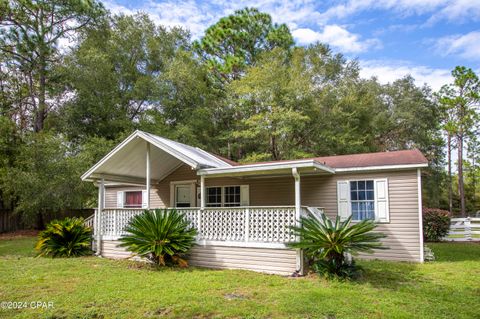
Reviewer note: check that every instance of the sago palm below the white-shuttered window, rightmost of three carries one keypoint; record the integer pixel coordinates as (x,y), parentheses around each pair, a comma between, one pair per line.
(329,245)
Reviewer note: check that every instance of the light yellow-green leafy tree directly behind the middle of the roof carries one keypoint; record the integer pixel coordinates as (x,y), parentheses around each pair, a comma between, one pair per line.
(270,98)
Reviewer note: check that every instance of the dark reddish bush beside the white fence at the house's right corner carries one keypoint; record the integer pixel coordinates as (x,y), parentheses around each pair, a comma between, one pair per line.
(436,223)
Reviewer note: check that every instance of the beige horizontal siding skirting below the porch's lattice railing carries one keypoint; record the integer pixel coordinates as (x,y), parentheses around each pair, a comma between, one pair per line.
(277,261)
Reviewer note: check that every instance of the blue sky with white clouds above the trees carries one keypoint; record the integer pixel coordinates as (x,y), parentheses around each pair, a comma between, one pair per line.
(390,38)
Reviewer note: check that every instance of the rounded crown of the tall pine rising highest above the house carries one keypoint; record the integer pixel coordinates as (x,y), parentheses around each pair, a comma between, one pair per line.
(236,41)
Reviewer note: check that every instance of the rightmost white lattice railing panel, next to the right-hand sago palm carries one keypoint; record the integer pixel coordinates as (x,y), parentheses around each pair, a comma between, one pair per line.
(271,224)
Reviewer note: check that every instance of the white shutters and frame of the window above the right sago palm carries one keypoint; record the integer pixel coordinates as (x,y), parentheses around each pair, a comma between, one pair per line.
(385,201)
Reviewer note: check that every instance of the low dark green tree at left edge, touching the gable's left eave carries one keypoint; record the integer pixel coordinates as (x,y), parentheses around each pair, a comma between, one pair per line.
(45,175)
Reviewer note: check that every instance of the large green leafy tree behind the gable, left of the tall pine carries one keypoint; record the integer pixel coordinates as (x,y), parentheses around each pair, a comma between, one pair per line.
(114,75)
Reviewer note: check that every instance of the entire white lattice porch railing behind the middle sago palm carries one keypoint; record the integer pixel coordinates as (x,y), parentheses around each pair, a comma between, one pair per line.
(249,226)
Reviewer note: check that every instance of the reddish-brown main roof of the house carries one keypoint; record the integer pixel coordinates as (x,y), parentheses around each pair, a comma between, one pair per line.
(405,157)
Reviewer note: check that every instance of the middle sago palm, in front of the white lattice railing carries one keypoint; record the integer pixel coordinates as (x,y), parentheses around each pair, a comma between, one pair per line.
(161,236)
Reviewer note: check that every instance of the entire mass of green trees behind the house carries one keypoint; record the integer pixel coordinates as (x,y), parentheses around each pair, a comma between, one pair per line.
(244,90)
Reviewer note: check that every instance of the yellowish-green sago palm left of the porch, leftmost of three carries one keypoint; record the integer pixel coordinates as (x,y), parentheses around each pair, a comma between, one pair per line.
(65,238)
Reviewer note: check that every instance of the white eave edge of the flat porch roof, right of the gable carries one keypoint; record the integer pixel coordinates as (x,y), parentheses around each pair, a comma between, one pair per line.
(267,168)
